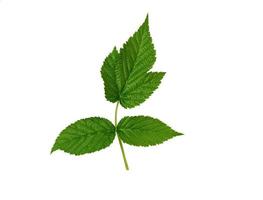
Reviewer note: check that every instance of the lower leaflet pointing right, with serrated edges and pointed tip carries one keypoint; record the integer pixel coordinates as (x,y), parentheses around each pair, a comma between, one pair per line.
(144,131)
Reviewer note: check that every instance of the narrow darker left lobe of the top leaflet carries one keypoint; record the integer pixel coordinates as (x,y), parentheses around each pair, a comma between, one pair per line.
(109,77)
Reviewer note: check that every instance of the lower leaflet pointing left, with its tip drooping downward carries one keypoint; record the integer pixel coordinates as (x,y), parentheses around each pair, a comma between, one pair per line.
(85,136)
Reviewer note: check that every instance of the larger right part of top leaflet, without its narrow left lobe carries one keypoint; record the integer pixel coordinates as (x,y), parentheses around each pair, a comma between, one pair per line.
(136,58)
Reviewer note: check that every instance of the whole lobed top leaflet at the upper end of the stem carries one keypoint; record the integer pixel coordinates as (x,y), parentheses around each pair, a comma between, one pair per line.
(125,74)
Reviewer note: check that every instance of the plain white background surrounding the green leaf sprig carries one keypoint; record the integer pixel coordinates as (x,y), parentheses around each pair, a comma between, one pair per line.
(50,57)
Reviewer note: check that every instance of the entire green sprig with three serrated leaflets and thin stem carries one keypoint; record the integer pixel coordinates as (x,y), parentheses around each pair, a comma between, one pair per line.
(128,81)
